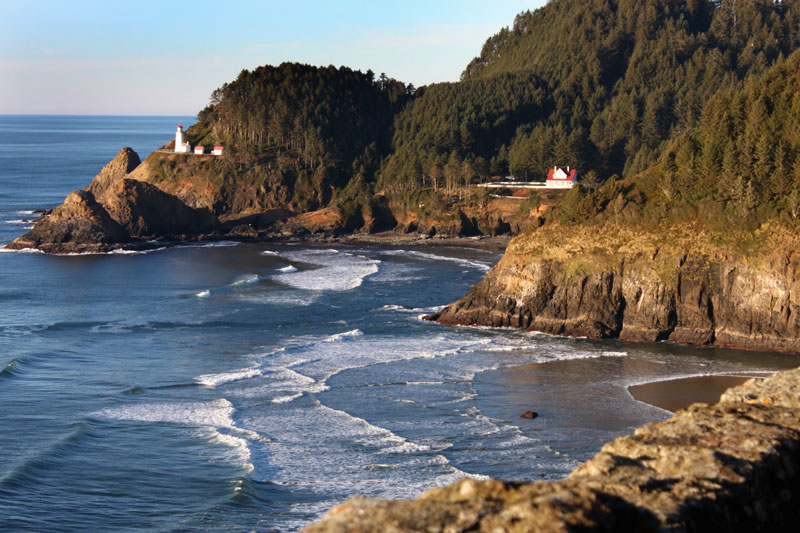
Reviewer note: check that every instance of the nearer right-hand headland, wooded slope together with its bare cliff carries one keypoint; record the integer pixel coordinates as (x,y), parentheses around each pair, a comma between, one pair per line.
(702,248)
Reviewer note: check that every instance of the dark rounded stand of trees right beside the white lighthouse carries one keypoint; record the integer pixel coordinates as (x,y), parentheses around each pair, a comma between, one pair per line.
(311,129)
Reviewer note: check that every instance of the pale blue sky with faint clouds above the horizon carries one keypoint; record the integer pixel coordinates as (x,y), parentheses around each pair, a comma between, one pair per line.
(143,57)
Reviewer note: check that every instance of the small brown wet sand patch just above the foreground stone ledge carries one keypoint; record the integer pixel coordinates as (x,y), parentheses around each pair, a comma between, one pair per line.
(676,394)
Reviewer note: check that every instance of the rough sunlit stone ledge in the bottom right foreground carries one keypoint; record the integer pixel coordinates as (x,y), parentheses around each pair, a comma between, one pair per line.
(732,466)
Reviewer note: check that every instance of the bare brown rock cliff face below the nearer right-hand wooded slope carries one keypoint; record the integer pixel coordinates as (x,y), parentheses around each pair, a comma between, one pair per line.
(603,282)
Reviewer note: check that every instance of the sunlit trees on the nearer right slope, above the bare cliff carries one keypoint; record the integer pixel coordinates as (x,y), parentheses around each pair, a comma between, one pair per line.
(739,168)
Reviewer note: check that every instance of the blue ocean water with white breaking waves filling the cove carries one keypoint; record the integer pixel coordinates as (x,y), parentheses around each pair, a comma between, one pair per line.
(229,387)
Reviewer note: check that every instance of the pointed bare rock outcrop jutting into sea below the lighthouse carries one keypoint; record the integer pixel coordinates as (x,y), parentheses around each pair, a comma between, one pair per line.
(115,212)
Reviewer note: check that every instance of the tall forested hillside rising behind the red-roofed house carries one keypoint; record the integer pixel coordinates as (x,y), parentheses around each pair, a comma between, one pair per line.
(601,85)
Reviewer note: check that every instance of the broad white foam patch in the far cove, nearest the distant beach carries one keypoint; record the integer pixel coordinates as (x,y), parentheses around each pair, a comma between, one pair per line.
(336,272)
